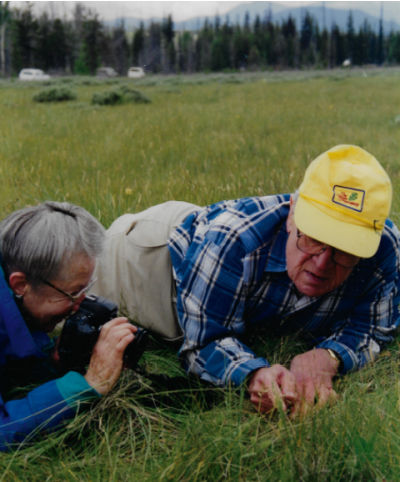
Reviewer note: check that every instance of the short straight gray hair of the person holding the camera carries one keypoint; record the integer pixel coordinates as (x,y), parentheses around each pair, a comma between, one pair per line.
(40,240)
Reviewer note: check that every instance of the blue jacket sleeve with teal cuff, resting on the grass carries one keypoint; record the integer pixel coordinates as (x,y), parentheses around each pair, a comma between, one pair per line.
(43,409)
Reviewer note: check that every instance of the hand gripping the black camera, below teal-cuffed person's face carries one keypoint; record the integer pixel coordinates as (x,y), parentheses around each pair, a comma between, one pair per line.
(107,358)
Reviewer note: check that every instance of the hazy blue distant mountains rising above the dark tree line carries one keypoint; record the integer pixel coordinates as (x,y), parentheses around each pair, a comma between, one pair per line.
(324,15)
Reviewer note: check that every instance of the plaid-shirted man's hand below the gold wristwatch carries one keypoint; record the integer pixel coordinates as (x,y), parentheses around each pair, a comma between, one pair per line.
(313,372)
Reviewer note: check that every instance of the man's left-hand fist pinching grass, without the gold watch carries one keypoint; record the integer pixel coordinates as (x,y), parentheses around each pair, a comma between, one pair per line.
(272,387)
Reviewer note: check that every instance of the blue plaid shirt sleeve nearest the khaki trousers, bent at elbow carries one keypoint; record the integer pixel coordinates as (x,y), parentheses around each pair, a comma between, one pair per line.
(211,297)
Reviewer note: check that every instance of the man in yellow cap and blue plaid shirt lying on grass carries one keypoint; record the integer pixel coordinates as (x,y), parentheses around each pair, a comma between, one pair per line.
(324,261)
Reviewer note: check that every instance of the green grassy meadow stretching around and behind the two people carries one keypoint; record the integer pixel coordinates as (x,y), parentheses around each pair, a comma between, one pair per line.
(203,139)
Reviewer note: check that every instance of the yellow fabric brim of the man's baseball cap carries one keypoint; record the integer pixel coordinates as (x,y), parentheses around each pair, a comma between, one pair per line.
(359,240)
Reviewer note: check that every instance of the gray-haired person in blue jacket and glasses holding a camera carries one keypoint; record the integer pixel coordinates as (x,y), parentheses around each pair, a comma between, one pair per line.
(48,255)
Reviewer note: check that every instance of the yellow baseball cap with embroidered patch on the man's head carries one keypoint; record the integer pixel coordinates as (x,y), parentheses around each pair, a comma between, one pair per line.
(344,200)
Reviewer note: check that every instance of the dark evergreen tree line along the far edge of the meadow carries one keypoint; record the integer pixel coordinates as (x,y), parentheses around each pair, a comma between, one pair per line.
(83,43)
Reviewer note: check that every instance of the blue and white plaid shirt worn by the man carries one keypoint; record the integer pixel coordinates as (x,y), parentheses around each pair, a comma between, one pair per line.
(229,264)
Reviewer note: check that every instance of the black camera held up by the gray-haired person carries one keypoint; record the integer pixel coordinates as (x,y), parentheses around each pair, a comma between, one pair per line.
(81,331)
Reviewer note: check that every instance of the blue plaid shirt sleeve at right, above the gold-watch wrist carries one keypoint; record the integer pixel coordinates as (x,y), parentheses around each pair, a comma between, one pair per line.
(372,324)
